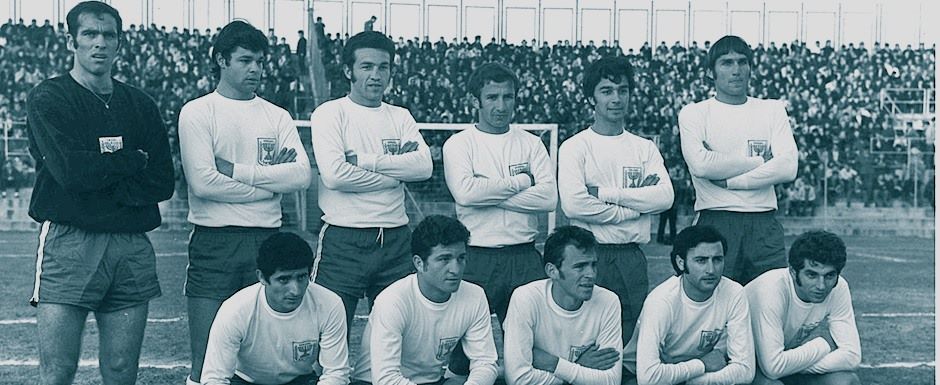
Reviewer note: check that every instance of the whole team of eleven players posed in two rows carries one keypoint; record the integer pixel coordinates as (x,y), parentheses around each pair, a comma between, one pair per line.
(103,164)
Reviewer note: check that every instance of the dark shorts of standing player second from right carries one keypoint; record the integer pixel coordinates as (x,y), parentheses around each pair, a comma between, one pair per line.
(621,268)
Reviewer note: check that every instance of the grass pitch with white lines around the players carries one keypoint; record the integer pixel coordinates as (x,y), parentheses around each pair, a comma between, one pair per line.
(892,282)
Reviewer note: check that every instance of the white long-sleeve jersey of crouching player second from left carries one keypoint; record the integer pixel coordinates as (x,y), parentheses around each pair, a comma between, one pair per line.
(409,339)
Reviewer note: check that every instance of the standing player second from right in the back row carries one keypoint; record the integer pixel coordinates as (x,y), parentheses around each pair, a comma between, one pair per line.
(612,182)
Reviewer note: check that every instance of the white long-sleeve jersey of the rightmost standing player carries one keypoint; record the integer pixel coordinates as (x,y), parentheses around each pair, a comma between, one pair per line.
(736,136)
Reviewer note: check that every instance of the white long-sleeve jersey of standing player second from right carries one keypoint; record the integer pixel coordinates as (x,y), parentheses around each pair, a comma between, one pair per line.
(622,212)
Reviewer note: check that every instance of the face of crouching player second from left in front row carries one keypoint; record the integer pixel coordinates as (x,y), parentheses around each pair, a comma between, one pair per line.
(440,275)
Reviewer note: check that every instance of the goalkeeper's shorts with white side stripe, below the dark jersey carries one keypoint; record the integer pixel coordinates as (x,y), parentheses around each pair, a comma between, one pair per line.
(101,272)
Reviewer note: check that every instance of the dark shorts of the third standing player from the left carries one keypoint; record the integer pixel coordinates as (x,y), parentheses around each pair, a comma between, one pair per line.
(355,262)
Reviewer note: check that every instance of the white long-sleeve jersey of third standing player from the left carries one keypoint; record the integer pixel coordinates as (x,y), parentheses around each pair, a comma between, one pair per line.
(369,193)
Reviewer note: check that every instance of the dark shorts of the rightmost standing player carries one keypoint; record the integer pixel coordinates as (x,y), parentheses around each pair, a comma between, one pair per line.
(755,242)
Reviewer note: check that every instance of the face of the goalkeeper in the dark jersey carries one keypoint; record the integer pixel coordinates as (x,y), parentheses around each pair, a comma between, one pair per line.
(95,44)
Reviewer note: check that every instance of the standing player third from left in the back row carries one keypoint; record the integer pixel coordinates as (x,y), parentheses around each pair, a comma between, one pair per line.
(365,150)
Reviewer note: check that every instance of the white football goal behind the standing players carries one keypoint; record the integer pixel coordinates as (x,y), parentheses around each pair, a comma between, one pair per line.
(430,196)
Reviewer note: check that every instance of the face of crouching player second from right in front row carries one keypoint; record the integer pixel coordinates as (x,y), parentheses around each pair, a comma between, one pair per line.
(703,266)
